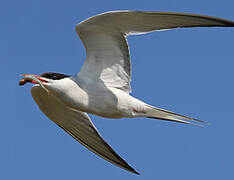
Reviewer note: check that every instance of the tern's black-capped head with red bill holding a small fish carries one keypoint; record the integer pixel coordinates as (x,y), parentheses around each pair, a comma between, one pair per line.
(43,78)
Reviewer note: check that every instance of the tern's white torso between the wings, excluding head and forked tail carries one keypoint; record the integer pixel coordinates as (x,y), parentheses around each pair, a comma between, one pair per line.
(91,97)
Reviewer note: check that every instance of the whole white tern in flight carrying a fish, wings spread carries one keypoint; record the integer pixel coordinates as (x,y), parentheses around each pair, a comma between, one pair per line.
(102,87)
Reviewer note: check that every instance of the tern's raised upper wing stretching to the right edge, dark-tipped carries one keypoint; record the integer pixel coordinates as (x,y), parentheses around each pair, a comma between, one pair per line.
(107,51)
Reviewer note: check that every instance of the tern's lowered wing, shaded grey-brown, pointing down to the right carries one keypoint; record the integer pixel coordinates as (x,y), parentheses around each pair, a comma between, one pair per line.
(78,125)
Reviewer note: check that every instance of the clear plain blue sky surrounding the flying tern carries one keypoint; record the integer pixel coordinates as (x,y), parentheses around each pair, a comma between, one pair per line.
(188,71)
